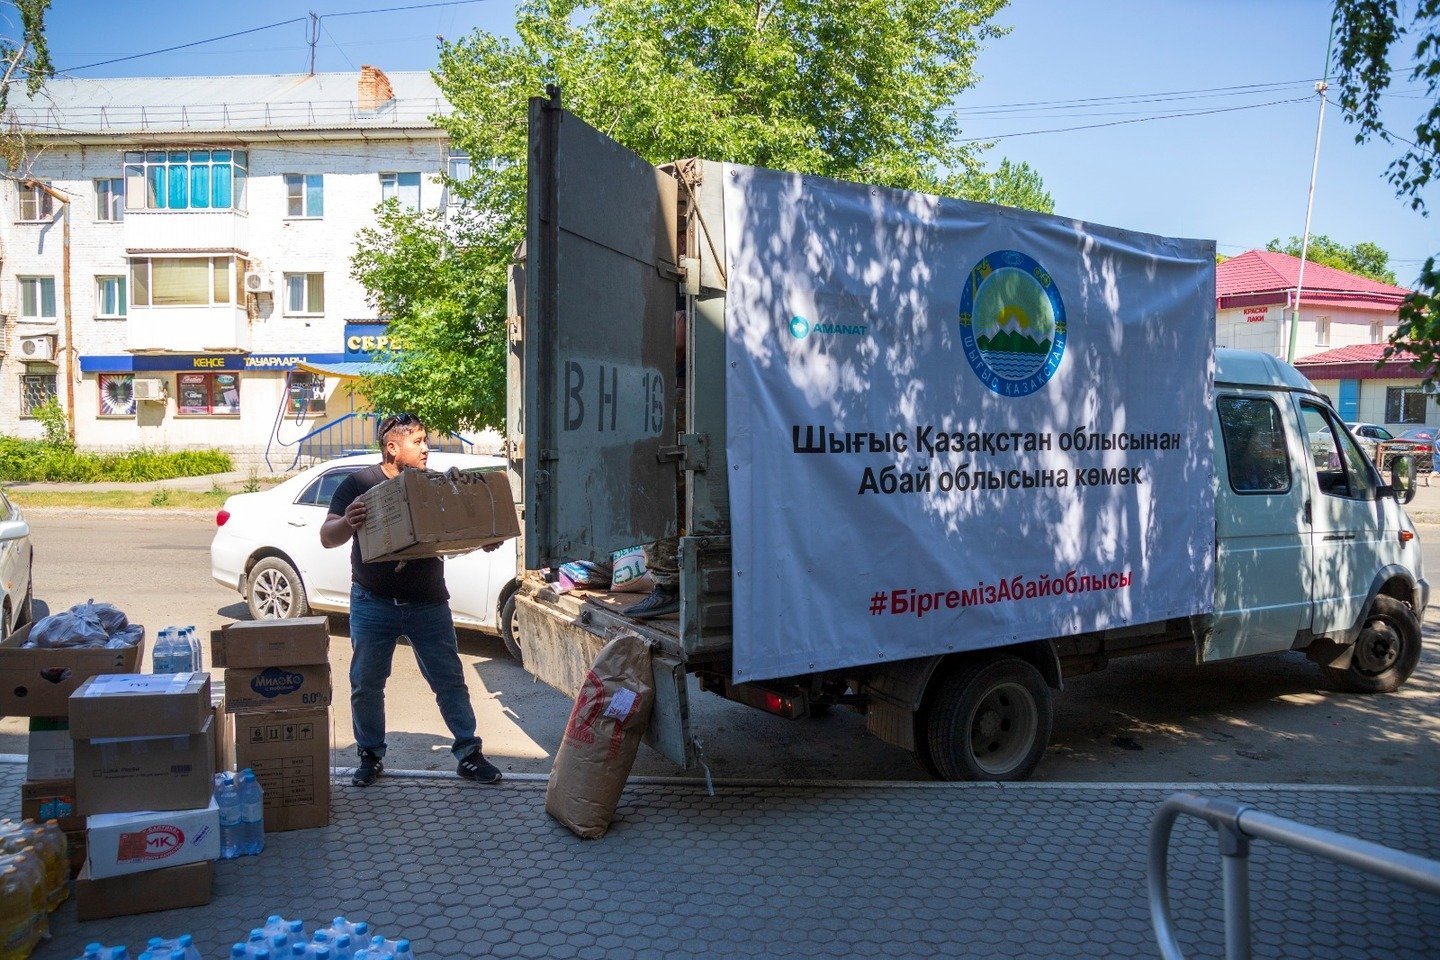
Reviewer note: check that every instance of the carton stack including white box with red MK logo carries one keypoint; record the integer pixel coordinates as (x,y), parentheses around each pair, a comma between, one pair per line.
(145,776)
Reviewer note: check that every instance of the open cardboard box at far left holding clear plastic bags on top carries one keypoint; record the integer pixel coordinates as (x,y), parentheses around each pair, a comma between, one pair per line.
(40,681)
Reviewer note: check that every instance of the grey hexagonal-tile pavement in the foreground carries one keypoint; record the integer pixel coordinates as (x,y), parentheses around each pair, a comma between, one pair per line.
(798,870)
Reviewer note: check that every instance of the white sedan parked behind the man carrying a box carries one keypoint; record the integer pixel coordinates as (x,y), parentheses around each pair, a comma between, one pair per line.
(267,548)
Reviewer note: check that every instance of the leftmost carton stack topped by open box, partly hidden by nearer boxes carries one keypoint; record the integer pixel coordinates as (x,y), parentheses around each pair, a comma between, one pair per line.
(38,683)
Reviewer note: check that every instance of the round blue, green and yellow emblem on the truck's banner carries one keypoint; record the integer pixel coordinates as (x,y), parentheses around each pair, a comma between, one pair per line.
(1013,323)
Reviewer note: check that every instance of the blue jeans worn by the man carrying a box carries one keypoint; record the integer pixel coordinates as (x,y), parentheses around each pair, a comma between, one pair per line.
(375,625)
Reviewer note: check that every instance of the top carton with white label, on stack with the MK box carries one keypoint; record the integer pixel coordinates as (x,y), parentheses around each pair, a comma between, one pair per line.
(140,706)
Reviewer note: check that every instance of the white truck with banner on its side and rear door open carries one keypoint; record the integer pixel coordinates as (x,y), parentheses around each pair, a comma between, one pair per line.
(924,458)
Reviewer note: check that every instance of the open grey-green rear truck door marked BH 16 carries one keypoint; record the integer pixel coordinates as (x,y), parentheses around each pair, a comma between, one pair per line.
(598,332)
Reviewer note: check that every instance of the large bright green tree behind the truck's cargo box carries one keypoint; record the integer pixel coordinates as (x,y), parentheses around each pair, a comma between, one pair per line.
(855,90)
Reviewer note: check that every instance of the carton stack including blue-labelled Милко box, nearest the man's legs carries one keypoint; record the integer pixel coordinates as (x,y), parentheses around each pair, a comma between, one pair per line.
(277,692)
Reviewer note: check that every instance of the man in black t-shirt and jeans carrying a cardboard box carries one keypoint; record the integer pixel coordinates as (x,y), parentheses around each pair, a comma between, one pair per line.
(392,599)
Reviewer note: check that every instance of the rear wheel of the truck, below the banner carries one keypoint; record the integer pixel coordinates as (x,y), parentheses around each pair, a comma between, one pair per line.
(989,720)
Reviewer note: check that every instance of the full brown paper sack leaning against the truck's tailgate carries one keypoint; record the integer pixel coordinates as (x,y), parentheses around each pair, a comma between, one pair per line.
(598,751)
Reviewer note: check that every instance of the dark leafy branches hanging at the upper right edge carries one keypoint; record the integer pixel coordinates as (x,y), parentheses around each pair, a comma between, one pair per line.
(1366,35)
